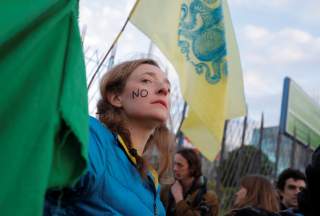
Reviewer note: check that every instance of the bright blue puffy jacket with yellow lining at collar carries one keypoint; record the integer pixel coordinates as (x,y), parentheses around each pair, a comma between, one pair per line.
(111,186)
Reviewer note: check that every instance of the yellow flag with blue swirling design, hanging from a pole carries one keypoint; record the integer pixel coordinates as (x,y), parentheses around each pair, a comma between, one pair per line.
(198,38)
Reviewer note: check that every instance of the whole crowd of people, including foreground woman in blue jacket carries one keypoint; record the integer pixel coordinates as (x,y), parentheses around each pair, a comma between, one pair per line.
(120,179)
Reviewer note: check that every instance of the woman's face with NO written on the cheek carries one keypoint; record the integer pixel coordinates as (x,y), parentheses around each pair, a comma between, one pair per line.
(146,95)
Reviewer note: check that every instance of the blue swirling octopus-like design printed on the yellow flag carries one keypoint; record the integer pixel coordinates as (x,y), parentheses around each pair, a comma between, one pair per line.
(201,30)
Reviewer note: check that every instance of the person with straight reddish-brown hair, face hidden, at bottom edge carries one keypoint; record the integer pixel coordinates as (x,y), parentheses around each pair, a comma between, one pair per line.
(256,197)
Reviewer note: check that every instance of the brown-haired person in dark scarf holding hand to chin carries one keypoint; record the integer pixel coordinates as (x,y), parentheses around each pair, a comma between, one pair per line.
(189,195)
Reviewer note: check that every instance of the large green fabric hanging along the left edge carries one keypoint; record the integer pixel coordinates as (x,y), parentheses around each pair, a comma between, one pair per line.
(43,102)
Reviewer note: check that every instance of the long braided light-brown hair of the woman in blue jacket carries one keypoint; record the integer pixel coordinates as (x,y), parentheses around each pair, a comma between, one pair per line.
(113,117)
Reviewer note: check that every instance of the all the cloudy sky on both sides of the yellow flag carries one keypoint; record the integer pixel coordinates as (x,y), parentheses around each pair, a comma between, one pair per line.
(276,38)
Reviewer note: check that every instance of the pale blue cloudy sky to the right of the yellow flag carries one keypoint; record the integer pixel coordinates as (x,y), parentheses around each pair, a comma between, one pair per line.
(277,38)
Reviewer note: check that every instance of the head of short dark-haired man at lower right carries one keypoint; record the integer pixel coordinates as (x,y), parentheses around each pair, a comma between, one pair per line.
(290,183)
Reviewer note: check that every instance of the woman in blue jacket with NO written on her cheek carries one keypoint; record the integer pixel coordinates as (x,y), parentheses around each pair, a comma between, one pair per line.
(132,120)
